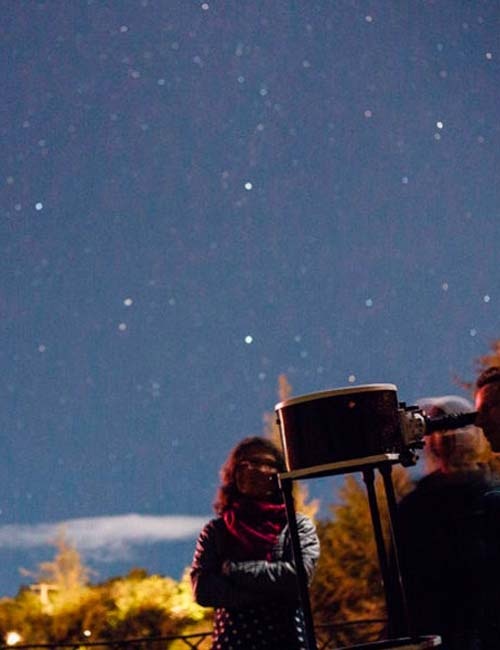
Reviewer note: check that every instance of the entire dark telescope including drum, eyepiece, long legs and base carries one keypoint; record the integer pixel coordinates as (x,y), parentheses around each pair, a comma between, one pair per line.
(360,428)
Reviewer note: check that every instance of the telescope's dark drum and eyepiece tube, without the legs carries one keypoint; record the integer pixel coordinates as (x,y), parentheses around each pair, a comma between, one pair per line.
(346,424)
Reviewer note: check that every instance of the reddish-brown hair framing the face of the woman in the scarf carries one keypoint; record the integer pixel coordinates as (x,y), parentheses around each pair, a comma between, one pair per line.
(227,491)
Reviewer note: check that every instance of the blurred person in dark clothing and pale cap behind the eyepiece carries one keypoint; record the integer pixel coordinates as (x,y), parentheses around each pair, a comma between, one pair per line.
(449,548)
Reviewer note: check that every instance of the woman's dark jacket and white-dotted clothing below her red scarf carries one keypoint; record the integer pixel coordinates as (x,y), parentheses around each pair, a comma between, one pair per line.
(256,602)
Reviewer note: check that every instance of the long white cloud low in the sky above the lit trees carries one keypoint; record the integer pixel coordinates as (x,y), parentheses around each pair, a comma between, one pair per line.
(104,538)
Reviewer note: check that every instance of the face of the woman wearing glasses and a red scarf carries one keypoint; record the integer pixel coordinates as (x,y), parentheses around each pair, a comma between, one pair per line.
(256,473)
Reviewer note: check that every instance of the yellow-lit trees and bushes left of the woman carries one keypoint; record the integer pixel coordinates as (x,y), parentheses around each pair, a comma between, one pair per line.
(64,609)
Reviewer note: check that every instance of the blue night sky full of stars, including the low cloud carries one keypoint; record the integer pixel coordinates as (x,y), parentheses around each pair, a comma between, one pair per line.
(199,196)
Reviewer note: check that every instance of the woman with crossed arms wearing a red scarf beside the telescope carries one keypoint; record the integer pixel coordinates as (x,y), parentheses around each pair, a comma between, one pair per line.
(243,562)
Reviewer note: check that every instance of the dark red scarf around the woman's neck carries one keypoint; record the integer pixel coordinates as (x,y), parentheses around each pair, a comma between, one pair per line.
(254,527)
